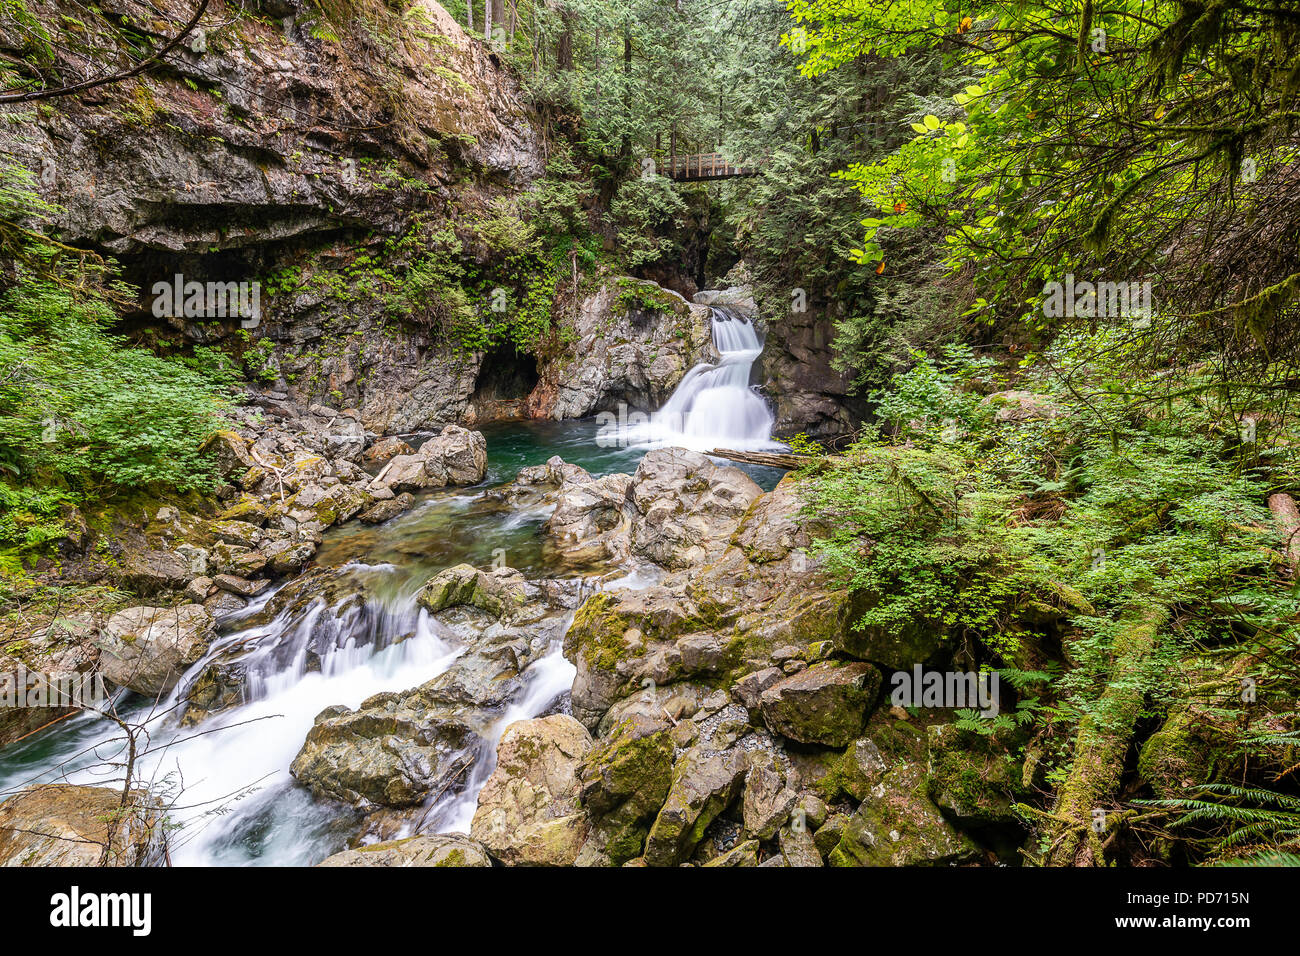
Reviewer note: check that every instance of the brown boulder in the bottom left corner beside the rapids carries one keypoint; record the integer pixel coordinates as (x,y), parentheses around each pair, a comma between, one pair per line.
(66,825)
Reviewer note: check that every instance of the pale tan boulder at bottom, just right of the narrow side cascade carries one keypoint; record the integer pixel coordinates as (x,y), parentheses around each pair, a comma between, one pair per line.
(528,811)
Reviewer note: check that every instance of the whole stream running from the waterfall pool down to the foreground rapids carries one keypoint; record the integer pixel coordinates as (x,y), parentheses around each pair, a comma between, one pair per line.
(344,631)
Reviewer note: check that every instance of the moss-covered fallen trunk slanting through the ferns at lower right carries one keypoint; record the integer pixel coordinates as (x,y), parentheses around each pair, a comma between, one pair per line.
(1100,749)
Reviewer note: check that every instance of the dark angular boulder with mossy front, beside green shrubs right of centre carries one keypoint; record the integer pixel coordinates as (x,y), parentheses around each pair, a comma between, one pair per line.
(826,704)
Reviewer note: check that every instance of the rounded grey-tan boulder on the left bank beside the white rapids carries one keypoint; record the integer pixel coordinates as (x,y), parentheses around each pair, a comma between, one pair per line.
(148,650)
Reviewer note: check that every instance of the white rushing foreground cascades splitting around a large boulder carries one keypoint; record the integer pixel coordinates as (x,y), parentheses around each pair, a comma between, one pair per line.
(229,775)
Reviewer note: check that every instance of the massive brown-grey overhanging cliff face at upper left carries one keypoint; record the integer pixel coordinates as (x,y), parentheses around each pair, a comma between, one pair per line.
(206,171)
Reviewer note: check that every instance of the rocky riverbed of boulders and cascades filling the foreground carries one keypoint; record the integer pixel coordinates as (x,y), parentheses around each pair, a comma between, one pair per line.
(599,668)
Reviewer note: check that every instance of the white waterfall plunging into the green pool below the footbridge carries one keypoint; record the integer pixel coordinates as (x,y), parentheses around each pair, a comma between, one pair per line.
(714,405)
